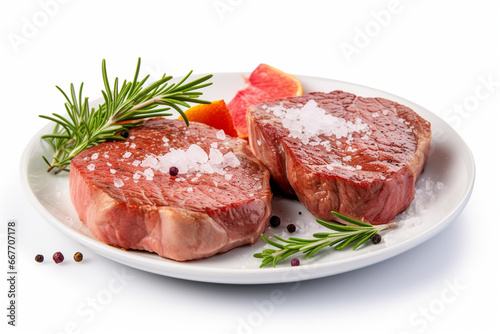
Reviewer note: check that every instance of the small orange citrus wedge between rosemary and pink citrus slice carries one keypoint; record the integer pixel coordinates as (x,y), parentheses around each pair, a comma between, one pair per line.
(215,114)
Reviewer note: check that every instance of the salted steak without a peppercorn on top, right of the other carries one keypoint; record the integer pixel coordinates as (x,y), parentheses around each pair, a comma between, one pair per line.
(337,151)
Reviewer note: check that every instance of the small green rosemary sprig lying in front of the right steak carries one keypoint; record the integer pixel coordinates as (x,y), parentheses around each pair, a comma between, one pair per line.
(357,233)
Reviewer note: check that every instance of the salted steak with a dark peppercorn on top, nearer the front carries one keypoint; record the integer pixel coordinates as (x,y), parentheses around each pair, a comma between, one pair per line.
(219,199)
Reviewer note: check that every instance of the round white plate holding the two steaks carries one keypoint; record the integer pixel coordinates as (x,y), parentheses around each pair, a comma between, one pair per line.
(442,192)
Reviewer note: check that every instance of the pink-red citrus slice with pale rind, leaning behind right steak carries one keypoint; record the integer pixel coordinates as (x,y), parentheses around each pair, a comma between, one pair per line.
(265,83)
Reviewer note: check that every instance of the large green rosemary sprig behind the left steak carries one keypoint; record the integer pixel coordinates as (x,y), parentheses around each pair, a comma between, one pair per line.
(124,107)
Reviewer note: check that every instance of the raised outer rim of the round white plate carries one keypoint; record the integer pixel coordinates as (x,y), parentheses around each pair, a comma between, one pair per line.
(183,270)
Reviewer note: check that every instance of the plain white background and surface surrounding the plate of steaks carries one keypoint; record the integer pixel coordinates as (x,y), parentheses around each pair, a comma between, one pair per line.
(435,53)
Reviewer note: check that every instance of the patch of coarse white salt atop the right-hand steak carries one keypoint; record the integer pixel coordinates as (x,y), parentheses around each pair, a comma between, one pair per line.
(310,121)
